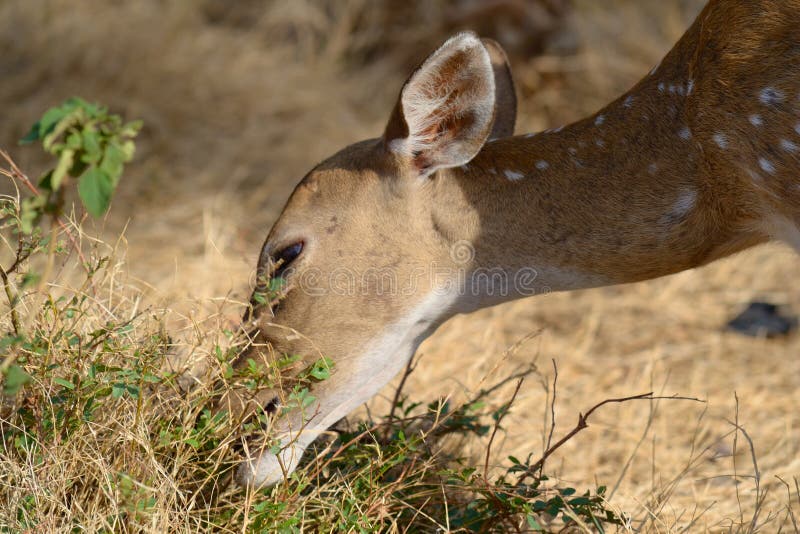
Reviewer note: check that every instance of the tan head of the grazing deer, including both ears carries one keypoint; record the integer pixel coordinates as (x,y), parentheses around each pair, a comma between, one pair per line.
(354,289)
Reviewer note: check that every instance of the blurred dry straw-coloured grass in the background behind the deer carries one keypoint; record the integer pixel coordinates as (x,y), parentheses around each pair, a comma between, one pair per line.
(239,102)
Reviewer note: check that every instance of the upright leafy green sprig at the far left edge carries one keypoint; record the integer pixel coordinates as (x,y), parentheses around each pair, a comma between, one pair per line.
(90,145)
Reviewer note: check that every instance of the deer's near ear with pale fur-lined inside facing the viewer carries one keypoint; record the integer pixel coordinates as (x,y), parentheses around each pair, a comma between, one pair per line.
(446,108)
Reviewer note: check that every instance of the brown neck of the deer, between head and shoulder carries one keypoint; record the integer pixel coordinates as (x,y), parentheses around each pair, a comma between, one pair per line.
(618,197)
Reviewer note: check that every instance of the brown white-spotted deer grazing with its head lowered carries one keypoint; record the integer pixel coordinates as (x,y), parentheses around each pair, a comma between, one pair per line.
(448,212)
